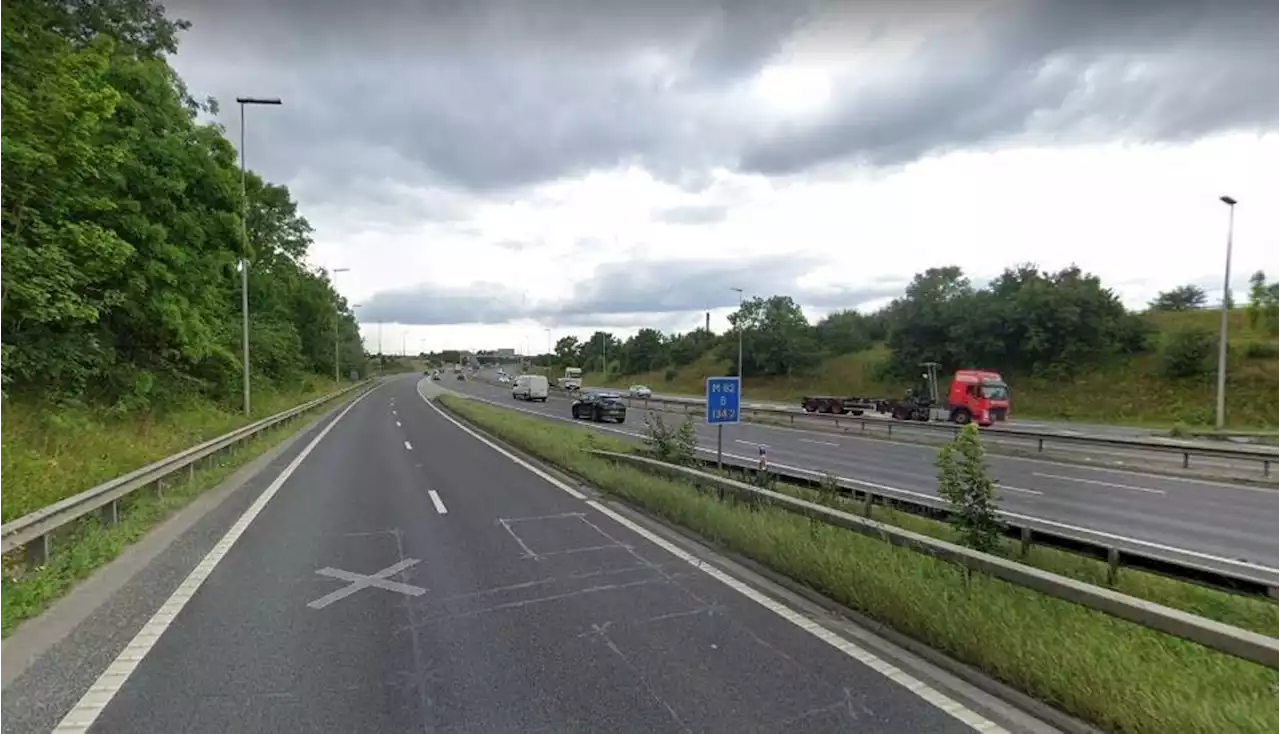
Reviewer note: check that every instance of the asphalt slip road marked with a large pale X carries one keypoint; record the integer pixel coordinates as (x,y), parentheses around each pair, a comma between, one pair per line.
(401,575)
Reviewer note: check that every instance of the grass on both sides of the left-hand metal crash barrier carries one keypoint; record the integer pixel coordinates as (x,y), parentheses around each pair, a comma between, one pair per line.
(48,455)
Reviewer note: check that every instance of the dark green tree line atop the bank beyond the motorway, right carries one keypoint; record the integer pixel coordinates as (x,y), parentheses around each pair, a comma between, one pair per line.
(1027,322)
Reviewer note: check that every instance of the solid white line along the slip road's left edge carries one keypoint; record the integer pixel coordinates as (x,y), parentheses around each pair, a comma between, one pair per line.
(117,674)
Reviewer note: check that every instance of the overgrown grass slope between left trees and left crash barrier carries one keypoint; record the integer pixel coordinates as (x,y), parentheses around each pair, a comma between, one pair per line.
(51,454)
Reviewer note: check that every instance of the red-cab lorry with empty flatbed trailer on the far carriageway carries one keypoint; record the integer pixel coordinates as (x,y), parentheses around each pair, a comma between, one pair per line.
(975,396)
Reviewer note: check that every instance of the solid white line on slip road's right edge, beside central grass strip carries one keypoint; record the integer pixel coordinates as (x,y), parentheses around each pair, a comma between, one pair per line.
(898,676)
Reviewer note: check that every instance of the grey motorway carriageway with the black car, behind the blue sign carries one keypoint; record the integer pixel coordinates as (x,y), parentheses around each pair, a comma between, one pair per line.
(1220,521)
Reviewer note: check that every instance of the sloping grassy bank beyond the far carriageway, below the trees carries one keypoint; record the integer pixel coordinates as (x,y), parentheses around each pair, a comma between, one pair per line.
(1133,394)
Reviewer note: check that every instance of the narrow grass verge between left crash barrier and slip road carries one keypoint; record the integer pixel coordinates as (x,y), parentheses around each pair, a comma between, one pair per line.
(89,545)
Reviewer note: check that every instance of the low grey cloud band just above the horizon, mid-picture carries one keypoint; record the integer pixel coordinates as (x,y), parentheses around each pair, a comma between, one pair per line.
(625,294)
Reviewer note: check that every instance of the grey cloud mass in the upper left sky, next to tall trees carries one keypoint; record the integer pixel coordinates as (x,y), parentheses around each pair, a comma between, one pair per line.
(483,95)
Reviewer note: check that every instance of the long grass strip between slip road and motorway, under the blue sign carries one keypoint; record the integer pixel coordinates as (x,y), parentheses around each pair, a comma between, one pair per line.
(1116,674)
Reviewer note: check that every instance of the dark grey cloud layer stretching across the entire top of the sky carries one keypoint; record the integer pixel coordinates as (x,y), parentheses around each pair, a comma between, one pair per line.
(488,95)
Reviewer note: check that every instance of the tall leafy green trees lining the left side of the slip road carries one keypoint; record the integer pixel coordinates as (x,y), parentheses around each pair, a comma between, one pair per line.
(121,225)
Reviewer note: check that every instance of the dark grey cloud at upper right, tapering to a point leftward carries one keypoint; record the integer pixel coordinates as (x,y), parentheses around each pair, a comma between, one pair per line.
(1058,71)
